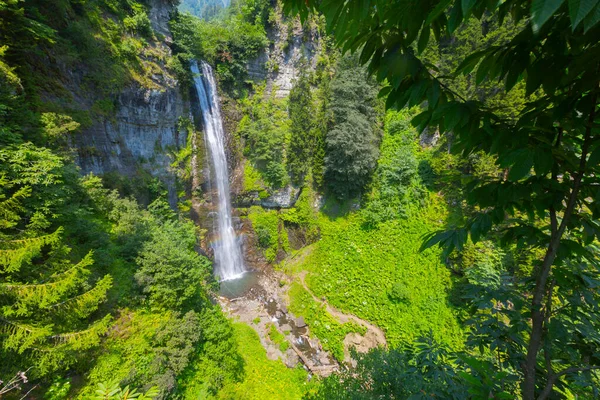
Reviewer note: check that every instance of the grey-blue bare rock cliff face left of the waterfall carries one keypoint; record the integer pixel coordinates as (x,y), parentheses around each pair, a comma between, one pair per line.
(145,129)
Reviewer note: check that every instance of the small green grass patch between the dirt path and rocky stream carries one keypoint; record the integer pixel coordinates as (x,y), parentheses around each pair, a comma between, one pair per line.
(330,332)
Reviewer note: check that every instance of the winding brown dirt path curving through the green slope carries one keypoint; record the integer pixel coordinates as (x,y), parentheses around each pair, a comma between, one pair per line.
(374,337)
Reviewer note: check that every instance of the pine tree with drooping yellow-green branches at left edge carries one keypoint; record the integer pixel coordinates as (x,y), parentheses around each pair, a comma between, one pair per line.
(46,300)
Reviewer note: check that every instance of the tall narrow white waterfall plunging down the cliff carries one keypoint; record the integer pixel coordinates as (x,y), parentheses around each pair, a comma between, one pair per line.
(228,255)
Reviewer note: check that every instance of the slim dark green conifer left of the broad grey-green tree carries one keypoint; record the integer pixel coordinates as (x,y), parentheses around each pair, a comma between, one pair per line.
(302,141)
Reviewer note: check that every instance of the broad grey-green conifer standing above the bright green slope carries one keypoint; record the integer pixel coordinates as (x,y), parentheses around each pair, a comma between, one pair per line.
(352,141)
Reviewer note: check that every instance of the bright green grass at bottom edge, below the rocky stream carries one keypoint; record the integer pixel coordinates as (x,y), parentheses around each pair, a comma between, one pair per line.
(264,379)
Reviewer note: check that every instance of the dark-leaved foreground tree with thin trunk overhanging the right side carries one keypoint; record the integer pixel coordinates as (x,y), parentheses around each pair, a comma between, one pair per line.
(548,199)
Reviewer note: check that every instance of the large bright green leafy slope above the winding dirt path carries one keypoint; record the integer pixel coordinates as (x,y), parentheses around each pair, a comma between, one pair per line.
(355,269)
